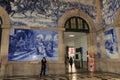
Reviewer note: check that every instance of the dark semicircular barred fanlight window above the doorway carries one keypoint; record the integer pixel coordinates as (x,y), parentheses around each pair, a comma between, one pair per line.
(76,24)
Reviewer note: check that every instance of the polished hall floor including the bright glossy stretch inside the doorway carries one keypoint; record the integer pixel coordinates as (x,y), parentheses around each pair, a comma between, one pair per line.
(71,74)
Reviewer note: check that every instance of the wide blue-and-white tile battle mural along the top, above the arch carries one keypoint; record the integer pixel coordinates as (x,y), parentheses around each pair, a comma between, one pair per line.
(44,13)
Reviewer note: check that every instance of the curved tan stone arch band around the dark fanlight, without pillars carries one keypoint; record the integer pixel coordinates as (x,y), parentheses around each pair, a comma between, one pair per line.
(78,13)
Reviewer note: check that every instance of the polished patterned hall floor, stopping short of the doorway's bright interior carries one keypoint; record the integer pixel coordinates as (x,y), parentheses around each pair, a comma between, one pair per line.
(78,76)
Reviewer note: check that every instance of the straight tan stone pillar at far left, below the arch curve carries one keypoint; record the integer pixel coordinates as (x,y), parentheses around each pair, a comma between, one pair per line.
(4,49)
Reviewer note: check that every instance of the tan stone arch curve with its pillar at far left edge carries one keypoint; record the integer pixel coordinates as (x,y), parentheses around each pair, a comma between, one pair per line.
(5,39)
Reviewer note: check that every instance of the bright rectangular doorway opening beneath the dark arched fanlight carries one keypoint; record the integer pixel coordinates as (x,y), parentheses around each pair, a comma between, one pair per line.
(74,41)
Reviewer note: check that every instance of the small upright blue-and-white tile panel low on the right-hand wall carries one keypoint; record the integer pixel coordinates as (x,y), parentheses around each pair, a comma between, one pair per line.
(111,44)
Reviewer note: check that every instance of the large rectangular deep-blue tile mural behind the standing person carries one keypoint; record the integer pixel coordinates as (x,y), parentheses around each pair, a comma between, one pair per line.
(30,45)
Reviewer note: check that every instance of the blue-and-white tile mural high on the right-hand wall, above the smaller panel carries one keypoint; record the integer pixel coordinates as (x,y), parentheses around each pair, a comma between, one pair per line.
(109,8)
